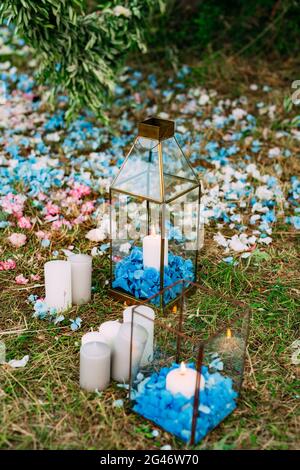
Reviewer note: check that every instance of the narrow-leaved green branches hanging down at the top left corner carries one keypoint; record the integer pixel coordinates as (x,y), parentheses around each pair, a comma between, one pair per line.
(78,52)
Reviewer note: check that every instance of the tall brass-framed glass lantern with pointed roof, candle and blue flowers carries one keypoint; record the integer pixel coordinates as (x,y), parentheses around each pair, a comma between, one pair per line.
(155,217)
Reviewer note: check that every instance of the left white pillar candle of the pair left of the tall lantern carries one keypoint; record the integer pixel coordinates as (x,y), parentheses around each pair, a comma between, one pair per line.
(58,284)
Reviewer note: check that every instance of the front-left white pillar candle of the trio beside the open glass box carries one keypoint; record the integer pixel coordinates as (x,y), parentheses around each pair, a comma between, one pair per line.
(95,359)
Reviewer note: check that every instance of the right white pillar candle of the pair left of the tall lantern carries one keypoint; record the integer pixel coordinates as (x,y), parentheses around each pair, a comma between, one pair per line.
(81,266)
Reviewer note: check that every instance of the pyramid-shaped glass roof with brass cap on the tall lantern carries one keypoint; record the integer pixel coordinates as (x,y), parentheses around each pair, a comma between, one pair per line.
(156,168)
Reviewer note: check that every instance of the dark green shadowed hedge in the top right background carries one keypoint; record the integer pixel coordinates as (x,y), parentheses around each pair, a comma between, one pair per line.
(247,26)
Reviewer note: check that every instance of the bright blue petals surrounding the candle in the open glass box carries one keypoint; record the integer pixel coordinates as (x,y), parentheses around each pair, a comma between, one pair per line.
(174,412)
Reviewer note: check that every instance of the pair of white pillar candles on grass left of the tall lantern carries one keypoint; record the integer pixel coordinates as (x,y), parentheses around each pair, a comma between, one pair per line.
(68,282)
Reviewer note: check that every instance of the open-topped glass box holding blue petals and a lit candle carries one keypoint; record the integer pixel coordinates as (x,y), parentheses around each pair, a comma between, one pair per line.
(191,377)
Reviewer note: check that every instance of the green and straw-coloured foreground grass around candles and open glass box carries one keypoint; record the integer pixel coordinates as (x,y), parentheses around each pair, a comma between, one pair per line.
(43,407)
